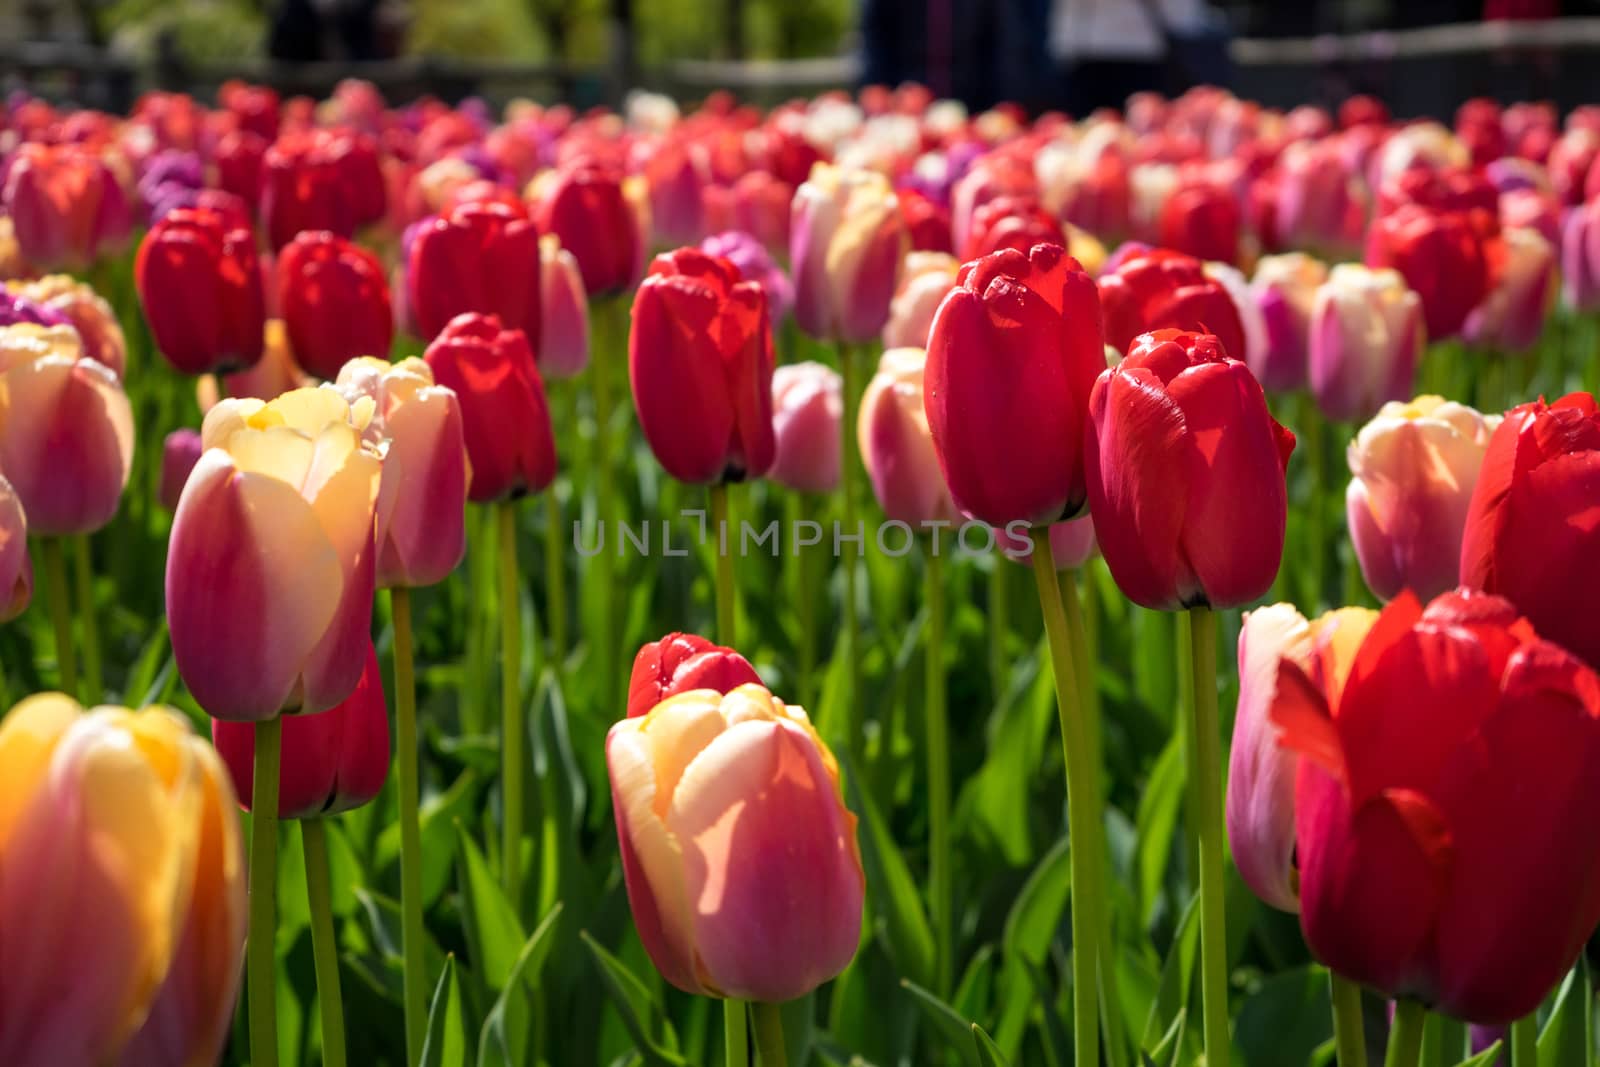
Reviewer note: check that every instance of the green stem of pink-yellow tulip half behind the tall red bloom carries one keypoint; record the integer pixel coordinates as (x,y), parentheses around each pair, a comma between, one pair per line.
(942,897)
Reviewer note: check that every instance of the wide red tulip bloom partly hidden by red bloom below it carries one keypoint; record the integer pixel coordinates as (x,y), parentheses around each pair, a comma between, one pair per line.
(478,258)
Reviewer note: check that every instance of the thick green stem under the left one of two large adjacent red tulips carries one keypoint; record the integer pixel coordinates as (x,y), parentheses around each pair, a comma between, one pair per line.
(1084,805)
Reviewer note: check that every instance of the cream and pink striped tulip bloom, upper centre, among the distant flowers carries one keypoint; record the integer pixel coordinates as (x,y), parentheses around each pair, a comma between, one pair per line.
(846,244)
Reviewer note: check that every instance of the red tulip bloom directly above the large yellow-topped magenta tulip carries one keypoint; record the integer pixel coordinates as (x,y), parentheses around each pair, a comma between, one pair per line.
(334,302)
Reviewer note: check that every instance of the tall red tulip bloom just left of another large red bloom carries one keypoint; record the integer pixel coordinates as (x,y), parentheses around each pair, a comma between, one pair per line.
(1012,358)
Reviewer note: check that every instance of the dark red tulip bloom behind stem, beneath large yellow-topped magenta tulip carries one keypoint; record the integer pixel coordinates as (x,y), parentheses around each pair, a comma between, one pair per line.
(330,762)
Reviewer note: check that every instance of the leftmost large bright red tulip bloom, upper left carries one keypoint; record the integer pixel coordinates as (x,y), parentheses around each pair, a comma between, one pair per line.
(201,292)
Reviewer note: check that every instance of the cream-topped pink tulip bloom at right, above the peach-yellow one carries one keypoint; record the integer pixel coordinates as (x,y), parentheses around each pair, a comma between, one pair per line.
(1366,342)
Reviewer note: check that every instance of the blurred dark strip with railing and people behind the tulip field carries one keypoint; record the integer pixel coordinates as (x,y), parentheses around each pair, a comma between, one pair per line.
(1423,57)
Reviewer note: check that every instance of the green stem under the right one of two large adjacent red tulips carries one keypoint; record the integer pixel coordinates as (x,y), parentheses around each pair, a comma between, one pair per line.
(1207,740)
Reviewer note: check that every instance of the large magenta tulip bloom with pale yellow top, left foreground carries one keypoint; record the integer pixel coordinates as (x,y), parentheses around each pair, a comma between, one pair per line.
(270,569)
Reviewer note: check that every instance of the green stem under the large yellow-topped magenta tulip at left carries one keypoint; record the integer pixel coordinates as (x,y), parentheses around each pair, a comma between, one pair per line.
(260,948)
